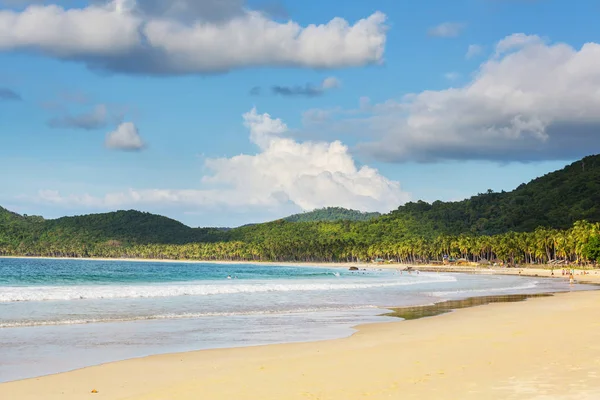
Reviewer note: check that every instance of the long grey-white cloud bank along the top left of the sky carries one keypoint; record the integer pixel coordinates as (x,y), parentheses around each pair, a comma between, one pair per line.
(156,37)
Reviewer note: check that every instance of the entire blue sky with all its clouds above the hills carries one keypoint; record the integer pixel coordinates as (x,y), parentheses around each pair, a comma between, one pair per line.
(227,112)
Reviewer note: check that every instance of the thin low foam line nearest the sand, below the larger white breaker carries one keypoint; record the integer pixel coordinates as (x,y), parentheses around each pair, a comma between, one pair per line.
(171,316)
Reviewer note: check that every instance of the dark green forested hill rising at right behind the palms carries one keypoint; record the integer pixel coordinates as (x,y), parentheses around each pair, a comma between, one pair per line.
(555,200)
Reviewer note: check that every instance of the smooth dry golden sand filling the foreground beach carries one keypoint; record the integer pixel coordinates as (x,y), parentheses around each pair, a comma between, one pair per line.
(543,348)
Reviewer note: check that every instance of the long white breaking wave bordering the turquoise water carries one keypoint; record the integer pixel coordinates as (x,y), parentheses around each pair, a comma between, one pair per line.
(98,292)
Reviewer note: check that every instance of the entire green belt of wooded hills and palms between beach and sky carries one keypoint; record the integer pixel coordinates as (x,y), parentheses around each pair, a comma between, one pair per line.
(553,217)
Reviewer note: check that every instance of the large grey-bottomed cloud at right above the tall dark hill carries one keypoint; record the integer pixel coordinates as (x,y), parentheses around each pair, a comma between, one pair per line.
(531,100)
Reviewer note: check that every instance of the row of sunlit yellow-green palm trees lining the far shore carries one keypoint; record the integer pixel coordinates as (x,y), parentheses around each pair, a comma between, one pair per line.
(537,247)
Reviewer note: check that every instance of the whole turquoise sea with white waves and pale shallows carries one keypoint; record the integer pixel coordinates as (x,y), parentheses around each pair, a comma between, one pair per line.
(58,315)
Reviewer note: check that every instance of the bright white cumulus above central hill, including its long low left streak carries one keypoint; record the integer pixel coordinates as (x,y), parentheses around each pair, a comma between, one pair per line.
(283,173)
